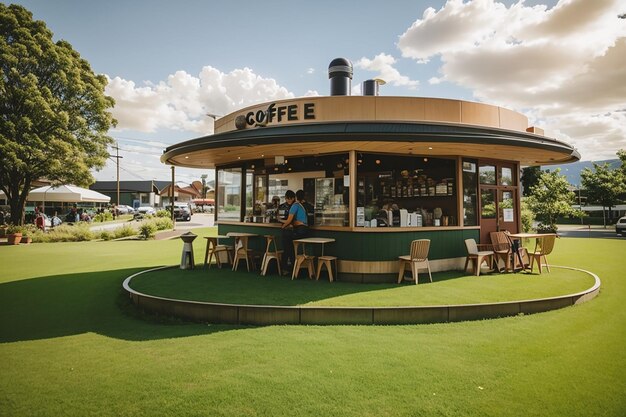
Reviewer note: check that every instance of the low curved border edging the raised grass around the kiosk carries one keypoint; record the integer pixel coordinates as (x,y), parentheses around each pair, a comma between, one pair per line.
(262,315)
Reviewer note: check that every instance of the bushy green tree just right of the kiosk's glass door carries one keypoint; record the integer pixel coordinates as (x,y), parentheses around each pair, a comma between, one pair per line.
(550,199)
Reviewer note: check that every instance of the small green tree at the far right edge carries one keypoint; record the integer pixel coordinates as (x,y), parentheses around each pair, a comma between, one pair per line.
(604,186)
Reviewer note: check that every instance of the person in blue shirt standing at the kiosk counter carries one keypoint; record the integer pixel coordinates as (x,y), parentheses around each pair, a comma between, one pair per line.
(295,227)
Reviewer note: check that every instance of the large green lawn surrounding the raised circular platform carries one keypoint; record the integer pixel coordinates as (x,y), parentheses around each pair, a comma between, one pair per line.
(71,345)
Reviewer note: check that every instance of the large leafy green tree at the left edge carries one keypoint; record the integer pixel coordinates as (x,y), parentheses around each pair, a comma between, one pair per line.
(53,110)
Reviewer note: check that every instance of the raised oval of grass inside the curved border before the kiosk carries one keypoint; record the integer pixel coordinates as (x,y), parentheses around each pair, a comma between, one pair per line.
(226,286)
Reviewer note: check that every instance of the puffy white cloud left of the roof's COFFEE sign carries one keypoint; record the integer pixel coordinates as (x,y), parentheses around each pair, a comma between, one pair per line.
(182,102)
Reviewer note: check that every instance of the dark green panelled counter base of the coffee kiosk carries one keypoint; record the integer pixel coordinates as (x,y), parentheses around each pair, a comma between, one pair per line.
(360,246)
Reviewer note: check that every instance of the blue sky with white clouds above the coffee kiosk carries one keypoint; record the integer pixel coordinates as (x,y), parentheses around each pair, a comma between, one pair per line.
(170,63)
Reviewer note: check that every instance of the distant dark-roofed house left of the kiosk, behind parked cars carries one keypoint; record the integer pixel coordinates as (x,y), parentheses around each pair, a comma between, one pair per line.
(134,193)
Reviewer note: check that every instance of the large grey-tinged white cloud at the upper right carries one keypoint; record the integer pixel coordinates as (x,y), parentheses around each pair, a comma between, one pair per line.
(564,66)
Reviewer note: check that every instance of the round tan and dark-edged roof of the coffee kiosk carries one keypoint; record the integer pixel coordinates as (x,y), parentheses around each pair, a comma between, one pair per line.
(338,124)
